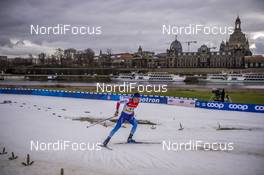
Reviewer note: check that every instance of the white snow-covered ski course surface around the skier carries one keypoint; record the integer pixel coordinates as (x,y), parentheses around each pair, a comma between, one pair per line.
(36,118)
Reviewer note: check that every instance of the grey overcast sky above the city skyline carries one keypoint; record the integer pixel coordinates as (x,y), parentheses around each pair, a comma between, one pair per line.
(125,24)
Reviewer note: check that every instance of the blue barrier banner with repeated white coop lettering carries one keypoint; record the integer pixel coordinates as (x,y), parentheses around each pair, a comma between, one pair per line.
(230,106)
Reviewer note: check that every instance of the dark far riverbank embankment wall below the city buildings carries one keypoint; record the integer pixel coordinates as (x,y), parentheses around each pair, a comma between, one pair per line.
(106,71)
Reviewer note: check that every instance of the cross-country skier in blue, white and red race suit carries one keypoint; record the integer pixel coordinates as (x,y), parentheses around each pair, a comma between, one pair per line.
(126,115)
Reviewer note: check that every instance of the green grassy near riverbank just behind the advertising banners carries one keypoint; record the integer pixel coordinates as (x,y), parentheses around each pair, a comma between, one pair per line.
(252,96)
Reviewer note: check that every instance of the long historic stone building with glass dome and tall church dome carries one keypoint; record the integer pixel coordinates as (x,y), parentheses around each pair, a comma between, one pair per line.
(230,55)
